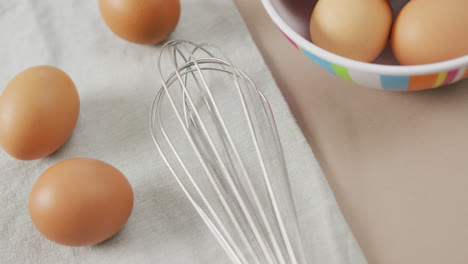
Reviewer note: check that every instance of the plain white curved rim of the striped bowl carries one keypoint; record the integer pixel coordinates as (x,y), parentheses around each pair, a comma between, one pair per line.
(392,70)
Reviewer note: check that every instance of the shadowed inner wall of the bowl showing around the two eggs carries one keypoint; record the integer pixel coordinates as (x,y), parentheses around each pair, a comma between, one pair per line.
(297,13)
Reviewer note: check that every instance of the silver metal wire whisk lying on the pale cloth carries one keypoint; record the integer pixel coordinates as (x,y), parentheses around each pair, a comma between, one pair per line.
(216,133)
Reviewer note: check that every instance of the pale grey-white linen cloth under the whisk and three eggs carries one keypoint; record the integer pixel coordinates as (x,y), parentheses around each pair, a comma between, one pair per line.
(116,82)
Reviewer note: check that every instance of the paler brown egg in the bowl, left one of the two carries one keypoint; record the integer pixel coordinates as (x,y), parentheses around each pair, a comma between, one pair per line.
(357,29)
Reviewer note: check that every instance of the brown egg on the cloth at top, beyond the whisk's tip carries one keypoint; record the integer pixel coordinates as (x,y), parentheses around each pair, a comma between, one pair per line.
(141,21)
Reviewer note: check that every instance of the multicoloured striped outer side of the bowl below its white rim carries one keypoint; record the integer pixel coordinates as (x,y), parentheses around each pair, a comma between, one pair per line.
(388,82)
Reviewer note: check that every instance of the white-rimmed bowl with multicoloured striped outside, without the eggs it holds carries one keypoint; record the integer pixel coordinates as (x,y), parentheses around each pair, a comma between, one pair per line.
(292,18)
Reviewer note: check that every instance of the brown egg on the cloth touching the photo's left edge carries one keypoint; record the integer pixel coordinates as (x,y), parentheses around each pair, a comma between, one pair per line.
(38,112)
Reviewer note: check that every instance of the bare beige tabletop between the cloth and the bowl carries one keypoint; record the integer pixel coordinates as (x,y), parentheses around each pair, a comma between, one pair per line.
(397,162)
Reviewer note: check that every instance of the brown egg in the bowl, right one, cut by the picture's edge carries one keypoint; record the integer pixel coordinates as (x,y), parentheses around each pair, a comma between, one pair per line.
(428,31)
